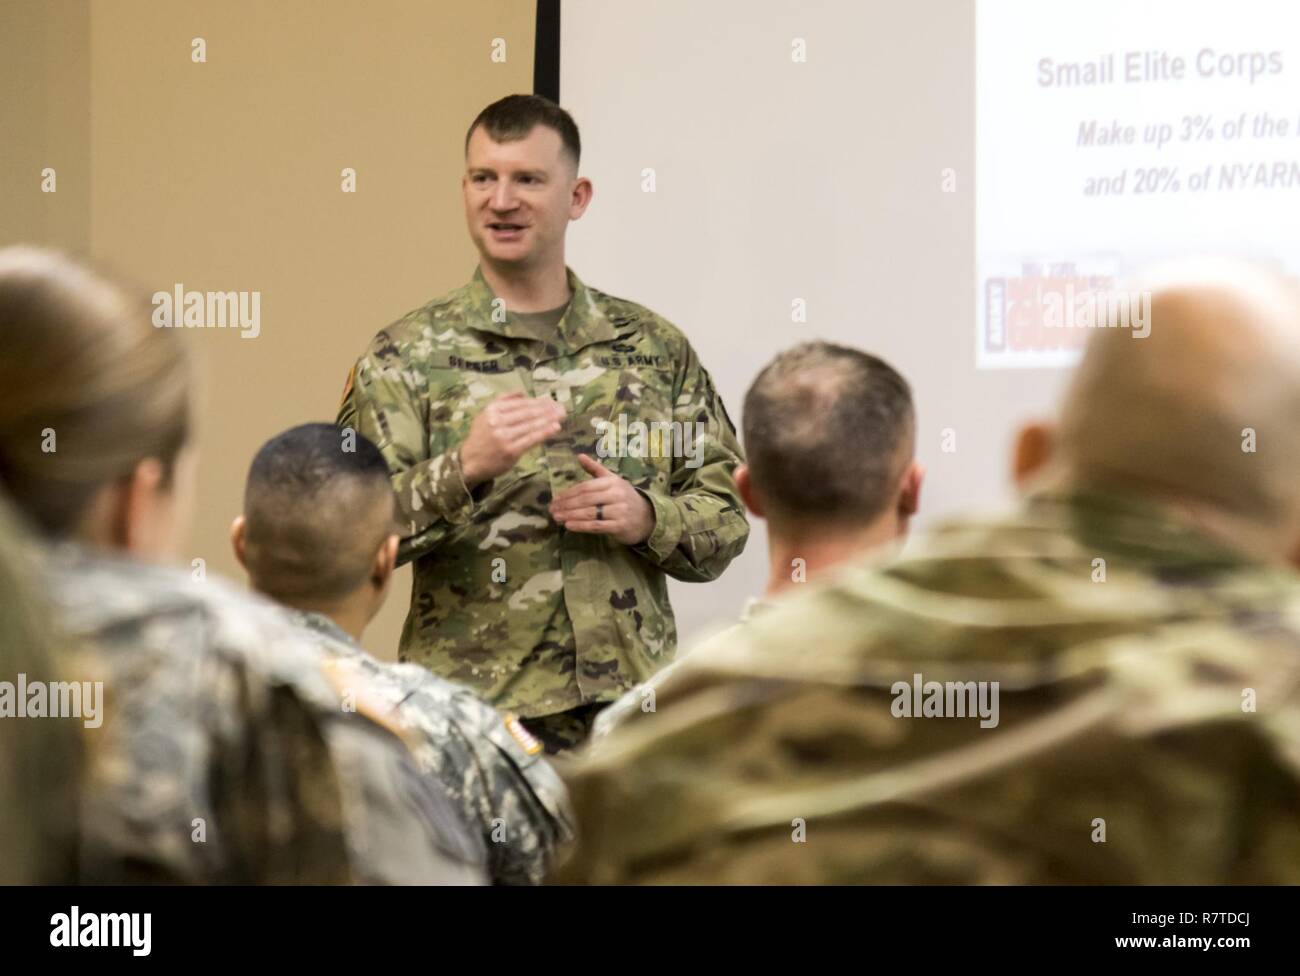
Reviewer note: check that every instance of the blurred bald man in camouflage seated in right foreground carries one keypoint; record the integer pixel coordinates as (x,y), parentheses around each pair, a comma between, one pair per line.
(1102,688)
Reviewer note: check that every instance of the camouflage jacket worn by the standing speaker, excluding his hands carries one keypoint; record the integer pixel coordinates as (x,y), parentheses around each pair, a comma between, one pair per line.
(536,619)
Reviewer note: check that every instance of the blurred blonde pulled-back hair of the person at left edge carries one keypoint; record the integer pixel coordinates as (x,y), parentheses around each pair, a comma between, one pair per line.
(89,387)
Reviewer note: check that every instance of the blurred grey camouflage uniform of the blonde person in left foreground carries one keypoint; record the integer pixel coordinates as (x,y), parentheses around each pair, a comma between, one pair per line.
(226,753)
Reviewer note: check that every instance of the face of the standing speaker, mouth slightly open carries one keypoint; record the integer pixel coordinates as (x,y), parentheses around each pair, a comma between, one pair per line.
(521,197)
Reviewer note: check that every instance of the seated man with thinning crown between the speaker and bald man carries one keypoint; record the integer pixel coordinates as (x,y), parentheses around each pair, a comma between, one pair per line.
(831,448)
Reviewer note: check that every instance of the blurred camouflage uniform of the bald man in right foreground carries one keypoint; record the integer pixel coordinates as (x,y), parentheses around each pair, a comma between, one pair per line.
(1126,751)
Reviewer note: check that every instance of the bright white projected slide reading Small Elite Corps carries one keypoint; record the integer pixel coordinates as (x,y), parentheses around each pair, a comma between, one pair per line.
(1113,135)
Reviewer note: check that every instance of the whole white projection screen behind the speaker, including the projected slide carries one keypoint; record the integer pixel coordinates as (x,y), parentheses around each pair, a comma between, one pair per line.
(904,171)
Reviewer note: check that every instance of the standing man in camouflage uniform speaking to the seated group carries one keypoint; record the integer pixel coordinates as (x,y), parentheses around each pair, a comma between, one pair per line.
(540,571)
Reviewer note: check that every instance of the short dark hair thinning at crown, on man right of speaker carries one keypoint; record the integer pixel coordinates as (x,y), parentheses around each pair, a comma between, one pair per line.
(829,432)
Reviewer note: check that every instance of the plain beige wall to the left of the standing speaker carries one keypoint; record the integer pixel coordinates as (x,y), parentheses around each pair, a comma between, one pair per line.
(227,176)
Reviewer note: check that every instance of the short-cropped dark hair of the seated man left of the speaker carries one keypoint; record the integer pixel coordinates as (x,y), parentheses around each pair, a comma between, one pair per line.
(318,506)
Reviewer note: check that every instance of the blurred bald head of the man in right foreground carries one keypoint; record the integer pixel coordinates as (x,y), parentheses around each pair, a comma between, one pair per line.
(1204,411)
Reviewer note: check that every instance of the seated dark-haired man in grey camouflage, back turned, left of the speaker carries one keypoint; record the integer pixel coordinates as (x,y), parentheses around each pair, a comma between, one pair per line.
(319,536)
